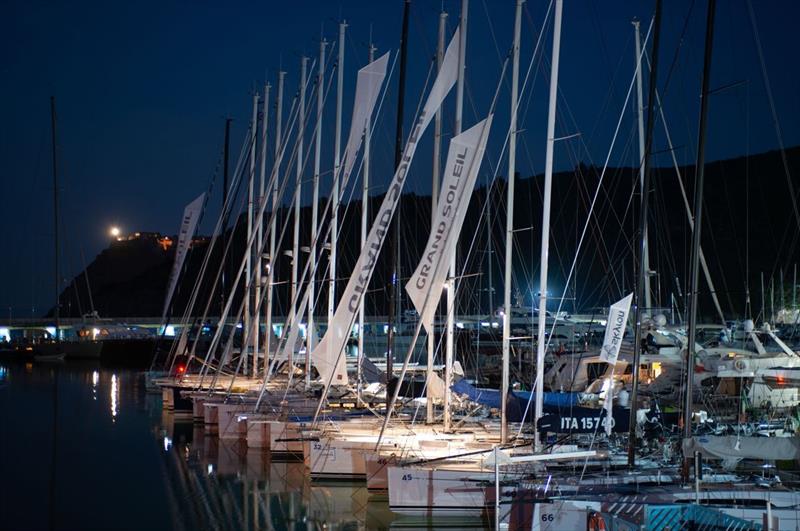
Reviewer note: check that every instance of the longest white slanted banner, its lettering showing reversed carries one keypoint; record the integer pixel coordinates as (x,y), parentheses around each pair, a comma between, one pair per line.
(326,356)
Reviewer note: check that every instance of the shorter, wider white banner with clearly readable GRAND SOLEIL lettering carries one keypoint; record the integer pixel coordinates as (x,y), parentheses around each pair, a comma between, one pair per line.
(464,158)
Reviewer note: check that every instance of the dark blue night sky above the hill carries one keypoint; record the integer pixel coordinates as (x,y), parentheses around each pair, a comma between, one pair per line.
(142,89)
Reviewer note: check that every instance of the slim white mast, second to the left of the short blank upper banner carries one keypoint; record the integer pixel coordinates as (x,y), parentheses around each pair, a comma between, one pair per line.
(310,330)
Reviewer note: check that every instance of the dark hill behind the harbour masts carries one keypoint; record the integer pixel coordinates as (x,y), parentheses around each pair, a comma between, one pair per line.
(749,227)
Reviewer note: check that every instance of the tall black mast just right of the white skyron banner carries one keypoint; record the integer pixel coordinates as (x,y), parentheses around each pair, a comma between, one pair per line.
(643,214)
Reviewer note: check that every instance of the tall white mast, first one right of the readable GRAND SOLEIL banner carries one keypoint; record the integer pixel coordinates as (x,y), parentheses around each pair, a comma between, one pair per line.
(512,153)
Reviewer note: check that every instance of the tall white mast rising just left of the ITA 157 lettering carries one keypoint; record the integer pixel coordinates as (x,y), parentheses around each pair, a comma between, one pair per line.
(548,185)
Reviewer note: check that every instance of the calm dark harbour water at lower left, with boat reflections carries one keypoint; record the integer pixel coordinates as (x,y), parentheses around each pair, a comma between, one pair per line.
(120,462)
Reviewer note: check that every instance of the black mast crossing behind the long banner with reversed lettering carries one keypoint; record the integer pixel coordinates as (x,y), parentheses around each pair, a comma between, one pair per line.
(394,227)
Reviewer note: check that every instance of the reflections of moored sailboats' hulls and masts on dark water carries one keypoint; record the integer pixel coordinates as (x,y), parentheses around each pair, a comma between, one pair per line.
(232,487)
